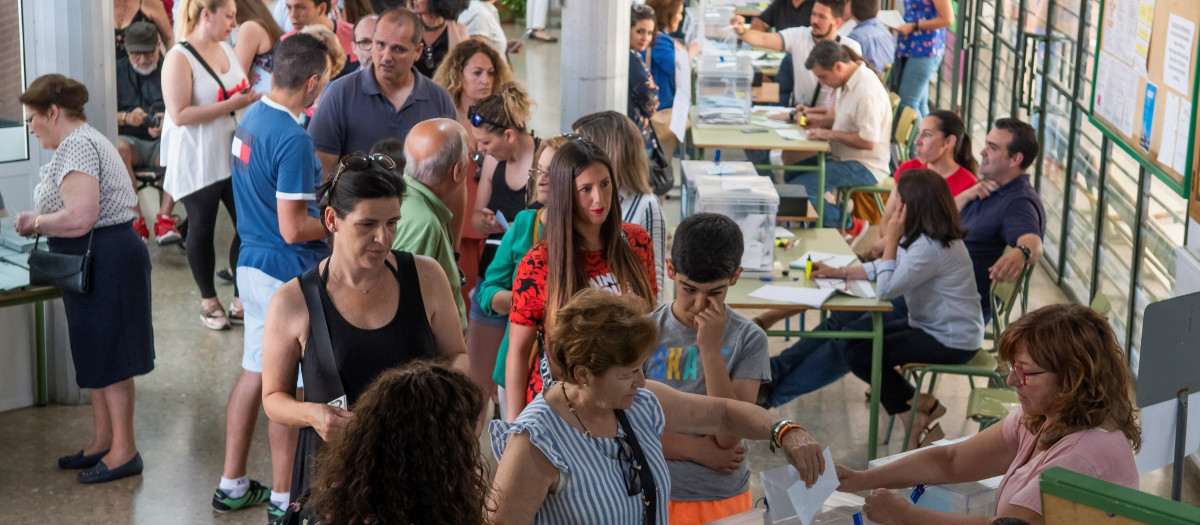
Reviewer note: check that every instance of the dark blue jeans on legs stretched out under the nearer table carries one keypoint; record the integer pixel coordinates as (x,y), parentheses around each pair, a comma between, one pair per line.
(813,364)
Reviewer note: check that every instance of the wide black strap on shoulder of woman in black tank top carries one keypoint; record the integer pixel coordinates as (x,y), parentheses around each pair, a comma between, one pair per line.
(325,366)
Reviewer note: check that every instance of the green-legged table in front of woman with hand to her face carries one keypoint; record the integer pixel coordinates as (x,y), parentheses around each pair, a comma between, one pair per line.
(823,240)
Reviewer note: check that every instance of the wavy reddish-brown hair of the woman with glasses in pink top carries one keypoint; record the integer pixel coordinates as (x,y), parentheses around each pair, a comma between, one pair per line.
(1078,347)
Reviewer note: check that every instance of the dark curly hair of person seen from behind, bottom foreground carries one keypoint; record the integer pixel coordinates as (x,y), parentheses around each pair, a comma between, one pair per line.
(410,455)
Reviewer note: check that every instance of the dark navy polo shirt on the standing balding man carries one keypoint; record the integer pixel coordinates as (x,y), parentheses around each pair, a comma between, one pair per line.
(353,116)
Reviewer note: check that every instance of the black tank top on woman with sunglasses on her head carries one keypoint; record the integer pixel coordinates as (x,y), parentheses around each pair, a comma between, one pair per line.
(362,355)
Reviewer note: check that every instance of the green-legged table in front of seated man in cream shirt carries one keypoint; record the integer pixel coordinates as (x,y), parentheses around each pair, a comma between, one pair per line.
(736,138)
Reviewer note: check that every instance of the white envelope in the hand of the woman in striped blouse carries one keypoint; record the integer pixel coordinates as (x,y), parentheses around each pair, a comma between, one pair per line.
(788,496)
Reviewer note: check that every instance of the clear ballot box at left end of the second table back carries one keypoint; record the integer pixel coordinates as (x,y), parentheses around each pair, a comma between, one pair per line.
(723,90)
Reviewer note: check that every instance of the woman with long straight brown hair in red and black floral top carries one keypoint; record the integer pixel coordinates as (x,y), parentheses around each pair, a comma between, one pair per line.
(586,246)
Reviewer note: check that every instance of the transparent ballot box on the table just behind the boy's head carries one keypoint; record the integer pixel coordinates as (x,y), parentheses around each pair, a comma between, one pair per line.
(752,202)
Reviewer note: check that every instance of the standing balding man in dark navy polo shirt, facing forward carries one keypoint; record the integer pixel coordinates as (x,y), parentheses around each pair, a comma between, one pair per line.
(383,101)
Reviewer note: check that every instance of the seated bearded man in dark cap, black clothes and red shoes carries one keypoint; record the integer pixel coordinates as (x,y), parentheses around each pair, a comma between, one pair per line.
(140,111)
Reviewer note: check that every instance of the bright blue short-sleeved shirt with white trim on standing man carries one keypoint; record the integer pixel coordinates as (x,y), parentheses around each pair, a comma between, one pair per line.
(273,159)
